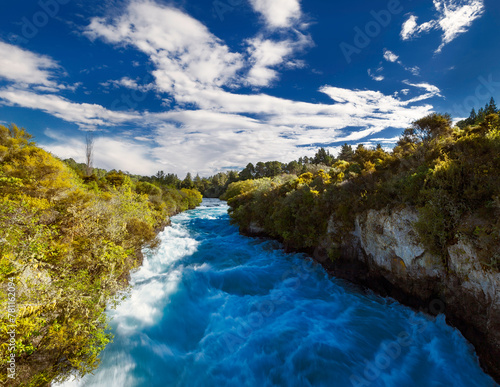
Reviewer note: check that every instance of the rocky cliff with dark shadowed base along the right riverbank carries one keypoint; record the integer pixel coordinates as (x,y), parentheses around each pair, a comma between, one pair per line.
(384,254)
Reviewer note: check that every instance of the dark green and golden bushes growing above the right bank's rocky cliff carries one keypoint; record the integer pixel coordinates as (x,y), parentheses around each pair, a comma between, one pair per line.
(450,174)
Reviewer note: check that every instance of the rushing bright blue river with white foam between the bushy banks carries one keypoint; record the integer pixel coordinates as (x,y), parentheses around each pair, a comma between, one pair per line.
(214,308)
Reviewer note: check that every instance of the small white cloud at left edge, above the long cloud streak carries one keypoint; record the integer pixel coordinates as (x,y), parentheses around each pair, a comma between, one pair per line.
(26,68)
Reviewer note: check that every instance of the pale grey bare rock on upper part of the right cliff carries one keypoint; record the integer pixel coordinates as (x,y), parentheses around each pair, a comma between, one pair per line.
(390,237)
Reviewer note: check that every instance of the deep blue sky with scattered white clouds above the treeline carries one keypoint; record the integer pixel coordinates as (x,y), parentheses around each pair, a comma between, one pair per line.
(204,86)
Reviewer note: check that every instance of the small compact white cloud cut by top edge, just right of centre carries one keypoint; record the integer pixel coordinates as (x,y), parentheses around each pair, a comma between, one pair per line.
(278,13)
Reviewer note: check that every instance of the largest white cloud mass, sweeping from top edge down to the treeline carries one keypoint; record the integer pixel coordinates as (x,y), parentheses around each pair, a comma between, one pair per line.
(221,128)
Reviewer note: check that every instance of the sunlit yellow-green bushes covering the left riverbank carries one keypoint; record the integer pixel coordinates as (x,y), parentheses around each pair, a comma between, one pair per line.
(68,242)
